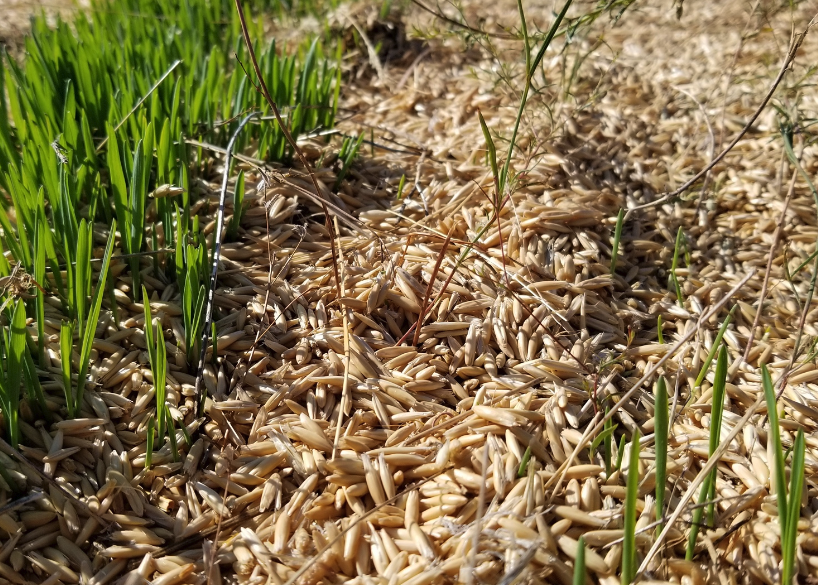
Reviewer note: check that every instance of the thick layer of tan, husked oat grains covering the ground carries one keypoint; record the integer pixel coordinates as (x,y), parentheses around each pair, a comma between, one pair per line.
(393,461)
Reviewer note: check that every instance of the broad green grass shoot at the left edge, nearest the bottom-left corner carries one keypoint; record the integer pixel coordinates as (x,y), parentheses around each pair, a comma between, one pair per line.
(14,346)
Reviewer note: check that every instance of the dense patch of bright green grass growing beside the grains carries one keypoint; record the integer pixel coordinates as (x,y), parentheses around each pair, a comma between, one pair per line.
(94,130)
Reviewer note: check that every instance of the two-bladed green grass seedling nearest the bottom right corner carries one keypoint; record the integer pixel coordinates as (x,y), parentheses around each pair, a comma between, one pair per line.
(789,504)
